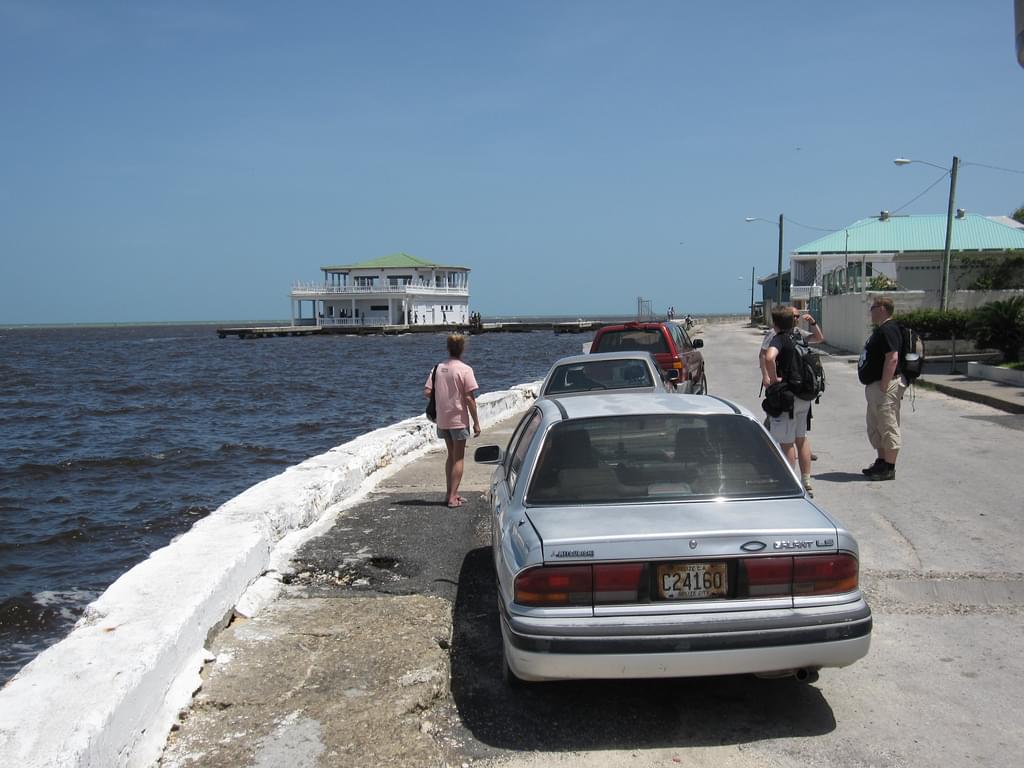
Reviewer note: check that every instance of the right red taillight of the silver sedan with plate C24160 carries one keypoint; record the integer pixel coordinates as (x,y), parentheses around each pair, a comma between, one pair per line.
(803,575)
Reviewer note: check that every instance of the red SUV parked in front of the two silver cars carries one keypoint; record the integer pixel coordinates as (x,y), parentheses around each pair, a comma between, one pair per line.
(676,354)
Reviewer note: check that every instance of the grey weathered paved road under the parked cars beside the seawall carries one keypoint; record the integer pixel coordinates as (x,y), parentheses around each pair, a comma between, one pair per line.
(351,666)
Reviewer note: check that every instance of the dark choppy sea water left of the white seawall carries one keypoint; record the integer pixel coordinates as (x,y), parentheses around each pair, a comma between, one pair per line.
(114,441)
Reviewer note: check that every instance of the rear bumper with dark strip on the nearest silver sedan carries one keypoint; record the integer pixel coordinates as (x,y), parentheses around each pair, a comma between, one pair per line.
(836,636)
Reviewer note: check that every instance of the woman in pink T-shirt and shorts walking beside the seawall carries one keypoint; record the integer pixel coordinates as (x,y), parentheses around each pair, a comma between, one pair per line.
(456,398)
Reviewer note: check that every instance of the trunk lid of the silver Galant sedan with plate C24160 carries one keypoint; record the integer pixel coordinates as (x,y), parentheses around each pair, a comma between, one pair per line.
(693,559)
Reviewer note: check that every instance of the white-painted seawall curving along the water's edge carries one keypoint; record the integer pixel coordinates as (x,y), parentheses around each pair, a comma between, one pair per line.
(108,695)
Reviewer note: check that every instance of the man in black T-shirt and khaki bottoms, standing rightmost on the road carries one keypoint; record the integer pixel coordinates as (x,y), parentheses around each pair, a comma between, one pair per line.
(884,388)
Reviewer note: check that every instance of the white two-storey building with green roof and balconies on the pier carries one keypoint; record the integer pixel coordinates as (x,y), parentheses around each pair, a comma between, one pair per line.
(397,290)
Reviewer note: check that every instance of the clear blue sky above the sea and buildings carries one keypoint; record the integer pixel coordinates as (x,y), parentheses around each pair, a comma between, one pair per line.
(189,161)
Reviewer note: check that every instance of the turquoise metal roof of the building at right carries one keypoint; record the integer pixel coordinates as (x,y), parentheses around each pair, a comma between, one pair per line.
(921,234)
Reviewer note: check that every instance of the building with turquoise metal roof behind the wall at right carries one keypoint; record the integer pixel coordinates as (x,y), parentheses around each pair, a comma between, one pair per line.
(907,249)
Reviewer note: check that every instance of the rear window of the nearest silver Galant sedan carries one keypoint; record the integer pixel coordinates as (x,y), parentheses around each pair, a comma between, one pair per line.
(666,457)
